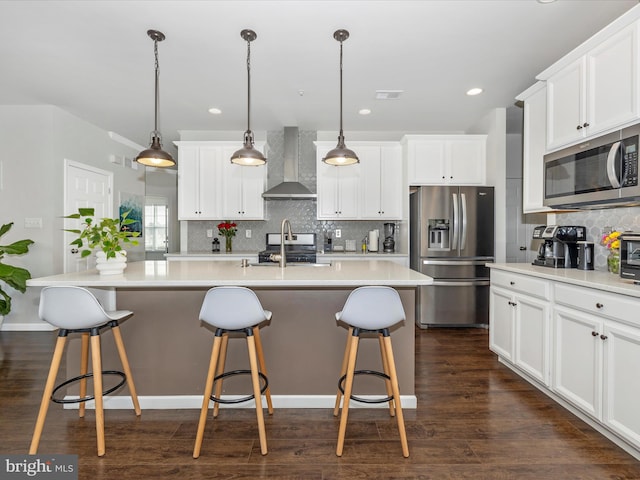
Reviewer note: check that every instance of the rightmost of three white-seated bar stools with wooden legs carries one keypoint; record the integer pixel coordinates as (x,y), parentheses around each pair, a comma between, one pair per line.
(370,309)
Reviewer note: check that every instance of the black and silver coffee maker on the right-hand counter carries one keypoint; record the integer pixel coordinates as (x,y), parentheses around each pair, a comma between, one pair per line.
(559,247)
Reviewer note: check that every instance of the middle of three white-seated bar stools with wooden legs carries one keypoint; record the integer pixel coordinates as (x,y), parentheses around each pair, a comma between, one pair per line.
(234,309)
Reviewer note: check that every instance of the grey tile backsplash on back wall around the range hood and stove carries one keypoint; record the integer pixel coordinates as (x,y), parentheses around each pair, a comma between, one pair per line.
(301,213)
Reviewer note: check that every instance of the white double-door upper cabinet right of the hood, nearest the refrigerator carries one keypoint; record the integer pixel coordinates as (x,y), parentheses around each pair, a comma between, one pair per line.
(381,182)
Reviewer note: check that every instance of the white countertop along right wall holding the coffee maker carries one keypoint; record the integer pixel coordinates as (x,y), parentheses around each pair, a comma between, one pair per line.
(599,279)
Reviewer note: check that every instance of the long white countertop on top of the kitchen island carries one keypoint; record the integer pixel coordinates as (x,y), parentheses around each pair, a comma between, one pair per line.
(176,273)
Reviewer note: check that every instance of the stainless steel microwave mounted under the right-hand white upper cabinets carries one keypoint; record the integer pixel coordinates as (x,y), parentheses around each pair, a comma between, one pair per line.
(598,173)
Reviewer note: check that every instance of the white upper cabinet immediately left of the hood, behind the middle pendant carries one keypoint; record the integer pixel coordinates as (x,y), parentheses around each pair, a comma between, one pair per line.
(243,188)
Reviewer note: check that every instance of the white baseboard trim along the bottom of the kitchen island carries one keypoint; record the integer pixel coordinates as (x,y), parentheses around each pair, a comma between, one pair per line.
(172,402)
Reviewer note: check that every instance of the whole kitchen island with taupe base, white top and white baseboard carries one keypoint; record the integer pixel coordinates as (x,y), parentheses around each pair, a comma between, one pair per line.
(169,347)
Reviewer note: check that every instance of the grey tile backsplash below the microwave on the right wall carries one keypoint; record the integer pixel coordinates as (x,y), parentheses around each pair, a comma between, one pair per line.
(596,221)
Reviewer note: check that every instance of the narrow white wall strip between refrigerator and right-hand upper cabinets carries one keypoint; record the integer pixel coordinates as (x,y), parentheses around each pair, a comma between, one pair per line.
(494,125)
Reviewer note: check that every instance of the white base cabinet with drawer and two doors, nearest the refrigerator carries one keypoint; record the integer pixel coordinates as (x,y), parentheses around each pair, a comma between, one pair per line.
(519,322)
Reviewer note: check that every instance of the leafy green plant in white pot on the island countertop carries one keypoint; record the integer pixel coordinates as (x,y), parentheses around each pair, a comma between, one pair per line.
(105,236)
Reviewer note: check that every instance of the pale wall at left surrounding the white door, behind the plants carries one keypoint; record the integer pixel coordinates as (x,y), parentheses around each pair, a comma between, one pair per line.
(35,141)
